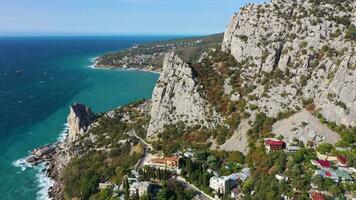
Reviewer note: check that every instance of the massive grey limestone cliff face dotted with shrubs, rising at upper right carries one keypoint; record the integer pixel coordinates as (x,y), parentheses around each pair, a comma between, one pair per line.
(306,45)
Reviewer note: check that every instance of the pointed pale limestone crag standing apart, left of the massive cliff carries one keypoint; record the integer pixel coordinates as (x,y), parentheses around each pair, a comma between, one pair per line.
(175,97)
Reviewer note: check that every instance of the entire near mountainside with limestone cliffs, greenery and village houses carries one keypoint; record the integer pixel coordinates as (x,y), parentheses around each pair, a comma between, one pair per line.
(267,114)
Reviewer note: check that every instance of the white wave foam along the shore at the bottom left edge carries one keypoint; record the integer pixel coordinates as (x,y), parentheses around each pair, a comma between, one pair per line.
(44,183)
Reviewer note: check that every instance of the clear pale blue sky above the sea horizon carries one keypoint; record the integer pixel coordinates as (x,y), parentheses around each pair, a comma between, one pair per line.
(116,17)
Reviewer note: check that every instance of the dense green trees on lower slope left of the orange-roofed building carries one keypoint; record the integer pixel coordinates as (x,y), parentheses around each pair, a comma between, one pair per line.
(82,175)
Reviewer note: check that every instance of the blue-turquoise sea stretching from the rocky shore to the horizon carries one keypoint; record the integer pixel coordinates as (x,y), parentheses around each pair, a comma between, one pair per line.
(40,77)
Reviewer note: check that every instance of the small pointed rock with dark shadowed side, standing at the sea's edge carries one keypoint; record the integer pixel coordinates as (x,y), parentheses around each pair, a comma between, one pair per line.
(79,119)
